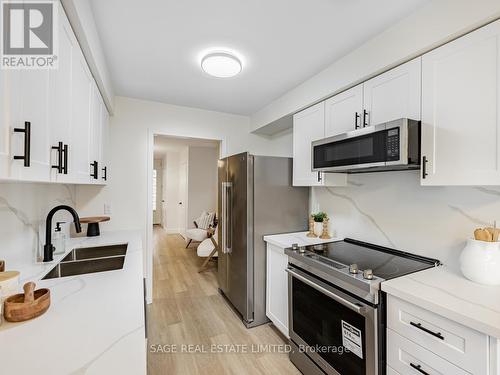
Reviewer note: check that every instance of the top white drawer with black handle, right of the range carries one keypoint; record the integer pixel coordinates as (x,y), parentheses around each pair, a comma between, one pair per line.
(460,345)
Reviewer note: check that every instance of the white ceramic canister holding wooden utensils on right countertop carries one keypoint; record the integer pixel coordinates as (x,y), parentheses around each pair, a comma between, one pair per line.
(480,262)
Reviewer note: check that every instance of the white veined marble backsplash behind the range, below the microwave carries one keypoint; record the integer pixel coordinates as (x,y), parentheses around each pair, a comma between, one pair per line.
(392,209)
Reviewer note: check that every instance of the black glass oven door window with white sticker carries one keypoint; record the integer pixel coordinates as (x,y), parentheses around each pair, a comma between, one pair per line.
(318,320)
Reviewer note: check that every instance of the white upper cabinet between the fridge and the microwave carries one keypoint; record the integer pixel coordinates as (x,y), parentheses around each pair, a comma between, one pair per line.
(309,126)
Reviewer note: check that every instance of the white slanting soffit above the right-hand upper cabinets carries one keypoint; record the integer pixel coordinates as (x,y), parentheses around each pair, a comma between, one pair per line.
(435,23)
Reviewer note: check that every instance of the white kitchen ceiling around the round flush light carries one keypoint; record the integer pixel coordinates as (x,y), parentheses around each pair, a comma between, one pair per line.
(153,47)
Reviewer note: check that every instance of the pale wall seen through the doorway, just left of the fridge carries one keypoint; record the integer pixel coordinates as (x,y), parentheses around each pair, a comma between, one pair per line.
(202,181)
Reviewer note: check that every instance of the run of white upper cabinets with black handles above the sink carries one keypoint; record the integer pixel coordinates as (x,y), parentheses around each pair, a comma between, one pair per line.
(64,112)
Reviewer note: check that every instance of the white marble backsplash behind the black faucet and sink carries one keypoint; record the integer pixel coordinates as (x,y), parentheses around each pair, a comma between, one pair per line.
(23,209)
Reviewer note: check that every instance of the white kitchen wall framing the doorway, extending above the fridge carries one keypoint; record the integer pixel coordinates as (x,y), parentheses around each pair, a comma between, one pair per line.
(131,139)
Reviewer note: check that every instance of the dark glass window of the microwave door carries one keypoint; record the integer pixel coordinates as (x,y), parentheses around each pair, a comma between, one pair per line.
(364,149)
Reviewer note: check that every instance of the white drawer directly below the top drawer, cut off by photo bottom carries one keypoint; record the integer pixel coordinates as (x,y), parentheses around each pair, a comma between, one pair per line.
(406,357)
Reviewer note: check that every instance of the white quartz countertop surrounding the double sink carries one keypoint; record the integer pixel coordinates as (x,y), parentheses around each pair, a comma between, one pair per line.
(95,324)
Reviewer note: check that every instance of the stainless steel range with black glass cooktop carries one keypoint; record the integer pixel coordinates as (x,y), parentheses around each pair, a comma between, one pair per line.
(336,308)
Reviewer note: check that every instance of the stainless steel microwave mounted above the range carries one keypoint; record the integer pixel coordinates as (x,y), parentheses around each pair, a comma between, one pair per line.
(390,146)
